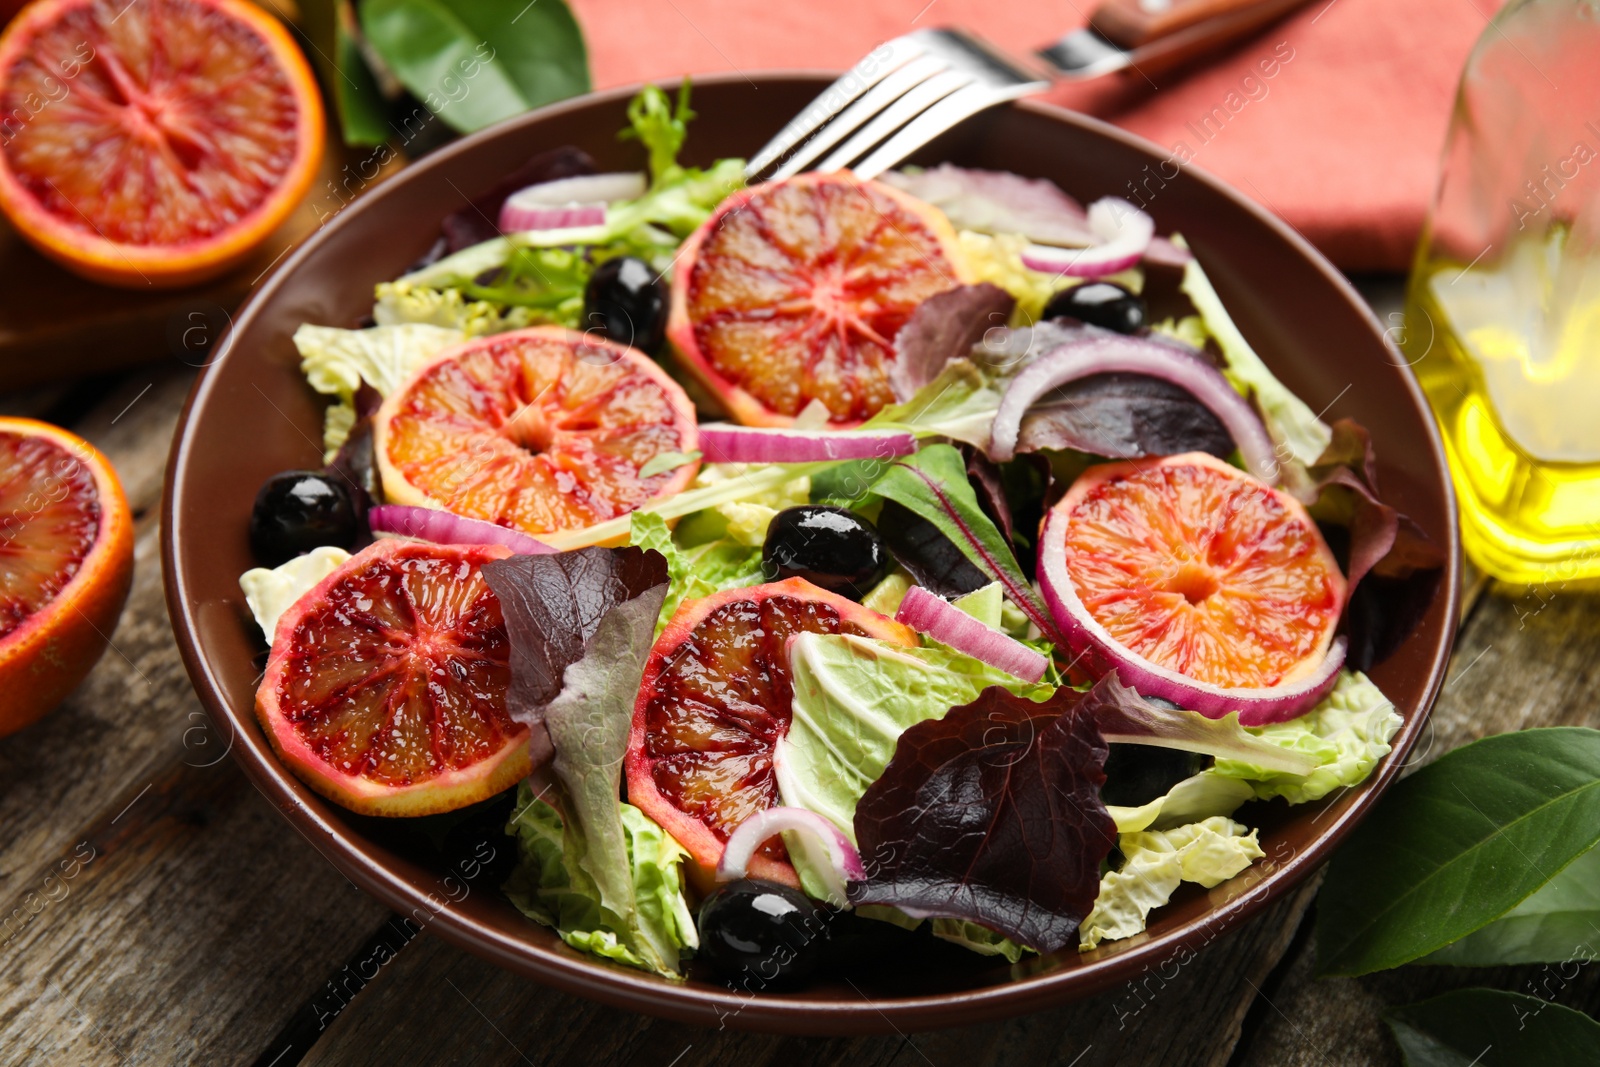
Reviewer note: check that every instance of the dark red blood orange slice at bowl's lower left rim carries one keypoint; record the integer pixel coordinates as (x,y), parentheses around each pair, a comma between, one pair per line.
(386,687)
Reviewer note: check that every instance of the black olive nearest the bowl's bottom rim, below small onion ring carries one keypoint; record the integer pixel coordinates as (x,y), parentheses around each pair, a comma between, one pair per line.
(762,932)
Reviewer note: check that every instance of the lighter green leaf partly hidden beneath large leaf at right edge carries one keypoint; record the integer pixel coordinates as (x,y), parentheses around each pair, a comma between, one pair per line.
(1556,925)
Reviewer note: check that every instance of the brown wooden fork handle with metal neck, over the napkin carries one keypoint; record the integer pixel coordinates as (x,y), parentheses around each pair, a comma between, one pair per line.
(1158,34)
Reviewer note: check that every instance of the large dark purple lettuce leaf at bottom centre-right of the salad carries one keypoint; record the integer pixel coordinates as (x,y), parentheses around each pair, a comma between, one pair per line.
(993,815)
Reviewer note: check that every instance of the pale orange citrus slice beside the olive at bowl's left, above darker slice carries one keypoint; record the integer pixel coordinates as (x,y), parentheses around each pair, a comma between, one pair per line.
(538,430)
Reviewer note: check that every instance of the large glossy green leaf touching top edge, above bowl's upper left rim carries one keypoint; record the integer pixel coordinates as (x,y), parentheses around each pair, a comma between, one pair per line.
(474,65)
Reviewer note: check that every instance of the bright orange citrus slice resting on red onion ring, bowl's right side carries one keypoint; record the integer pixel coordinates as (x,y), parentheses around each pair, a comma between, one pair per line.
(1198,569)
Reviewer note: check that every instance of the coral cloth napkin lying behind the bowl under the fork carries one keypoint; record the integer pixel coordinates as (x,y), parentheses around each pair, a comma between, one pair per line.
(1342,138)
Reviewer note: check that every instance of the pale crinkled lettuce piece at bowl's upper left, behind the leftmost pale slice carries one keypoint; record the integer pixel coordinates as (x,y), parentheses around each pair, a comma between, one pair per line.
(337,362)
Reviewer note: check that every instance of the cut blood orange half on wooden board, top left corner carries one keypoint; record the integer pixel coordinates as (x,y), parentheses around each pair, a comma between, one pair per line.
(153,143)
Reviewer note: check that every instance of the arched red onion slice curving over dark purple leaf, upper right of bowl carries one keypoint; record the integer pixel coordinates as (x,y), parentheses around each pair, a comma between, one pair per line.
(1138,356)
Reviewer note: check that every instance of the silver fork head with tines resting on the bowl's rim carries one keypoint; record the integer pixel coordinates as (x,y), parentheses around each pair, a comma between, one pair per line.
(910,90)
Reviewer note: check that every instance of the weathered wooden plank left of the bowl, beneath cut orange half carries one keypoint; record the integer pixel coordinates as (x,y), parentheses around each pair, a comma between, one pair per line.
(153,905)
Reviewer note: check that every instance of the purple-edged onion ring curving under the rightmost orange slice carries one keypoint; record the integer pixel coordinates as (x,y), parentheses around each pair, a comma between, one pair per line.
(1102,653)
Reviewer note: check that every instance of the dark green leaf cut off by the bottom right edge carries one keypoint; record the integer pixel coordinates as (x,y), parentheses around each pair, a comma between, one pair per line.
(1490,1028)
